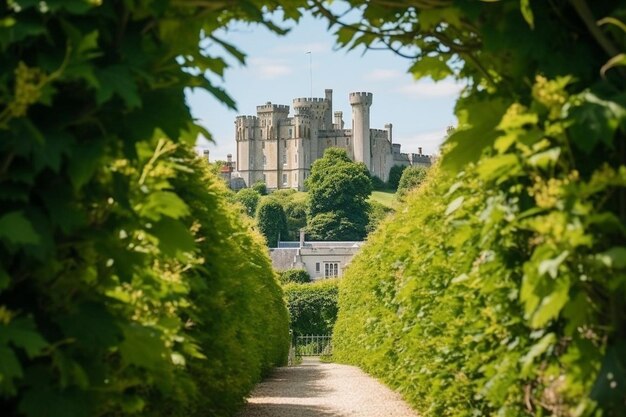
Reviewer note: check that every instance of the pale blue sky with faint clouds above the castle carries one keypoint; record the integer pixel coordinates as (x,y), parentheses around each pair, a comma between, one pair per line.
(278,70)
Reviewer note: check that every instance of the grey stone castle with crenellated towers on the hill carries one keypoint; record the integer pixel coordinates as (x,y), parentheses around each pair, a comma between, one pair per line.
(279,150)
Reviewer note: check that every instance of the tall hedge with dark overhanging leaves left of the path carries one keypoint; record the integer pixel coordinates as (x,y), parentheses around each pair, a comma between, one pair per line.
(127,285)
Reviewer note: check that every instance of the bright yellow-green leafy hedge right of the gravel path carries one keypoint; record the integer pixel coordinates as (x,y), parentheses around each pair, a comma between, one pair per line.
(439,303)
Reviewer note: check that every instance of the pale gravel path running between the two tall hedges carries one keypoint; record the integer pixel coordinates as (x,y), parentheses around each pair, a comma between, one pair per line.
(315,389)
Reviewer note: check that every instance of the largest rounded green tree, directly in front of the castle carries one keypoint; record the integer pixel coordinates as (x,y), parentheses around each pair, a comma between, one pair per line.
(338,192)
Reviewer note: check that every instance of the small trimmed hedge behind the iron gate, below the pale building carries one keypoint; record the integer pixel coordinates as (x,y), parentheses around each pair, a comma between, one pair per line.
(313,306)
